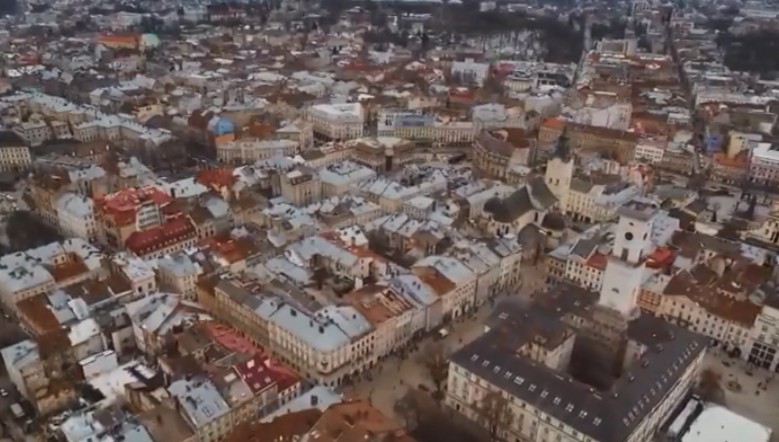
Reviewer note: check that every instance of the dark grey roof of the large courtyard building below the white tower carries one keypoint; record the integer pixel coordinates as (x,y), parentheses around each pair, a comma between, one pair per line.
(602,415)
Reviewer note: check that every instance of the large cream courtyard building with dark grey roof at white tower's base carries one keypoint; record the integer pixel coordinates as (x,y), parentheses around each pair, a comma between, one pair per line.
(527,363)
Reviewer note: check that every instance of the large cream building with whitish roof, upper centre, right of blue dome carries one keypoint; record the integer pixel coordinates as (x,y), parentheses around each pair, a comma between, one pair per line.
(337,121)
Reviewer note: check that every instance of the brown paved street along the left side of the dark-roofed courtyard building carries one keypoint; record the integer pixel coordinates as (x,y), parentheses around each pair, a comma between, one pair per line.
(395,376)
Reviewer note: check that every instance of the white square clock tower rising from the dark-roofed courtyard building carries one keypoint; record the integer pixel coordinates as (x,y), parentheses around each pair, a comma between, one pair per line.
(625,268)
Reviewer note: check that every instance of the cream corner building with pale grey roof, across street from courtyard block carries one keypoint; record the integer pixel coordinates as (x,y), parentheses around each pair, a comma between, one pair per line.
(325,344)
